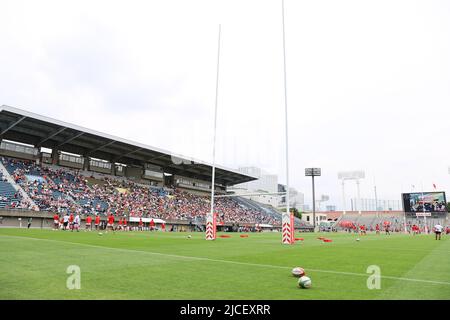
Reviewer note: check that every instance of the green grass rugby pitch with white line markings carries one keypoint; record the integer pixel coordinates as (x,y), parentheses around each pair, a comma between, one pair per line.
(144,265)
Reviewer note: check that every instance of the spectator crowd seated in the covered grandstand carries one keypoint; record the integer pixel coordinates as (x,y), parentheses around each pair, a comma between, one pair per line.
(60,190)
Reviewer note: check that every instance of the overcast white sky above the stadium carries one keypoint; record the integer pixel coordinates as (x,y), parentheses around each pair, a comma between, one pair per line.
(368,82)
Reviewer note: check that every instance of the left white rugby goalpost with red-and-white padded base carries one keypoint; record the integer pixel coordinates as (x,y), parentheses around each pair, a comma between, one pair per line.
(210,225)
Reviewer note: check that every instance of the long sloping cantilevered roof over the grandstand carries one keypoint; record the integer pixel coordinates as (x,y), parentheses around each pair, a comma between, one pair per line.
(41,131)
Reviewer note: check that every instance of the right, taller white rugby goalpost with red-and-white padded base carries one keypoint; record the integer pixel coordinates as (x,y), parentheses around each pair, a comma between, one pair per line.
(287,228)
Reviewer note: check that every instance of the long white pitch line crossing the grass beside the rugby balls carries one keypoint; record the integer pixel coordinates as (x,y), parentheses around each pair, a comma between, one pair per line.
(232,262)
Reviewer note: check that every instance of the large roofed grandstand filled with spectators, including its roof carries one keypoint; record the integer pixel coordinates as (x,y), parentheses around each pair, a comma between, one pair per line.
(49,166)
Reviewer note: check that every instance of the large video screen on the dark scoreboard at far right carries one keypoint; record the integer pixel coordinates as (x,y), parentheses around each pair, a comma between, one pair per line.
(424,202)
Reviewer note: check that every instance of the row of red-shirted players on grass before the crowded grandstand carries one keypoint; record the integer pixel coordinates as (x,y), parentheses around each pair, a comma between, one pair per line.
(72,222)
